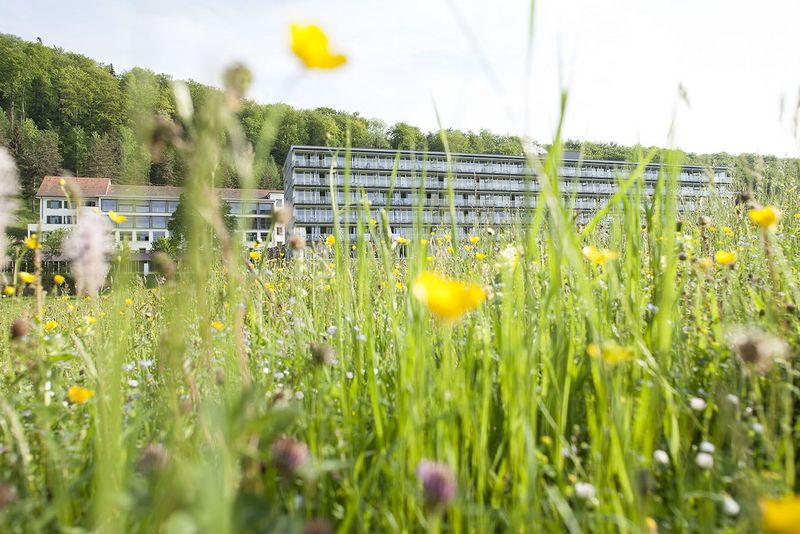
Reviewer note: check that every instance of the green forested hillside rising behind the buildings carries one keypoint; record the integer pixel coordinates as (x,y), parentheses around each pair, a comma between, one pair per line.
(64,112)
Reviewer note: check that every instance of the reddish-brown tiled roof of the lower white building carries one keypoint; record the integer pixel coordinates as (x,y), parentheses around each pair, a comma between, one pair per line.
(102,187)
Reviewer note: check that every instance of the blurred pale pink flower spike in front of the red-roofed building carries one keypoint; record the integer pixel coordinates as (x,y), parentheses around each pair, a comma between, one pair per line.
(87,247)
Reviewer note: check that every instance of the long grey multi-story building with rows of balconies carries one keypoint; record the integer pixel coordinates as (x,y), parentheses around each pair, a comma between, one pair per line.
(488,189)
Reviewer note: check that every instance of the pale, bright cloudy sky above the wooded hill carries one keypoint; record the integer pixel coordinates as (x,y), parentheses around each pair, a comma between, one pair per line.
(701,75)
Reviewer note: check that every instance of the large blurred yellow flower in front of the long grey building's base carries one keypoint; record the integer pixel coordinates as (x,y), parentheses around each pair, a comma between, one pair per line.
(447,299)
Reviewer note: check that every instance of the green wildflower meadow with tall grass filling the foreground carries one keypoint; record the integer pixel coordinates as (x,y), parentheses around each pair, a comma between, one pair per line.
(633,374)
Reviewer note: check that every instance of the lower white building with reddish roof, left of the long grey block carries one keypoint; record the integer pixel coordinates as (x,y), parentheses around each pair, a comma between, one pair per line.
(148,208)
